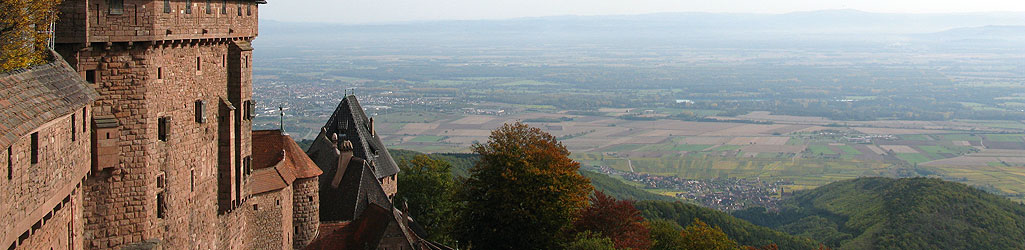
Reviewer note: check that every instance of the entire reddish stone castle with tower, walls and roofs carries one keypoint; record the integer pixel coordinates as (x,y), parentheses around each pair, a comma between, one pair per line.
(139,136)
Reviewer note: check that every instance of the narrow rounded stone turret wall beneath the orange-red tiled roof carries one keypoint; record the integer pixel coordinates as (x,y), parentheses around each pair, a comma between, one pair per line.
(307,212)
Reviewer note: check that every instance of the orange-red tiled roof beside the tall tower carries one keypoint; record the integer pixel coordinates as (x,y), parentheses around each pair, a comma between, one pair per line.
(278,161)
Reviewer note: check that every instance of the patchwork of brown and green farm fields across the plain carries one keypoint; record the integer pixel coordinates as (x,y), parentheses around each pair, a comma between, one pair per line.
(795,149)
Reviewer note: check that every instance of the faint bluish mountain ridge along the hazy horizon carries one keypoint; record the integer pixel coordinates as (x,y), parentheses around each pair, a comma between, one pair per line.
(826,28)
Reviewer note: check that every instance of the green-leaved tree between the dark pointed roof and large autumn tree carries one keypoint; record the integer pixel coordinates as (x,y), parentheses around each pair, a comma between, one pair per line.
(427,186)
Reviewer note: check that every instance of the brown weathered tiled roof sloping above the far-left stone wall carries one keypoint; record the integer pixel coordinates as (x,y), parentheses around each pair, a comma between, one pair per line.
(33,97)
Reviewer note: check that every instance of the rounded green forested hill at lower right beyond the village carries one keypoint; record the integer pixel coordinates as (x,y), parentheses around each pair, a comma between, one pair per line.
(909,214)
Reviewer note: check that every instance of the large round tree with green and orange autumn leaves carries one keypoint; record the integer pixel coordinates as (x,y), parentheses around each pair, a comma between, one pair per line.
(523,194)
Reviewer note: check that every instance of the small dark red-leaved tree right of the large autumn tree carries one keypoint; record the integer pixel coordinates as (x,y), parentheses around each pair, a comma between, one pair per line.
(619,221)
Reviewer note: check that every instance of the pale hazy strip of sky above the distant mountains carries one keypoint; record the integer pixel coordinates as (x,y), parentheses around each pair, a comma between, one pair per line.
(360,12)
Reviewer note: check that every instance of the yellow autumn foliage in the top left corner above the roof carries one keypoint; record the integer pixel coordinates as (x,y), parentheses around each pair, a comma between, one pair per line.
(24,32)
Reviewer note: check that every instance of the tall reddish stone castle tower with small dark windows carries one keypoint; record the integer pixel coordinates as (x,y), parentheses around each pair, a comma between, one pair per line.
(176,90)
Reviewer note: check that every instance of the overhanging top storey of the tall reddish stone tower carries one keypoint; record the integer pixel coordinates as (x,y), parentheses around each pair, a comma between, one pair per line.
(146,21)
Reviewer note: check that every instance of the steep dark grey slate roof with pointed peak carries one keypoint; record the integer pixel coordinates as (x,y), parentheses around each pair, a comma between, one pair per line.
(351,123)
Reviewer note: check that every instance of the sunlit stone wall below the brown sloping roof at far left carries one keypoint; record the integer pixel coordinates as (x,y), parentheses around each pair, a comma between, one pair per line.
(33,196)
